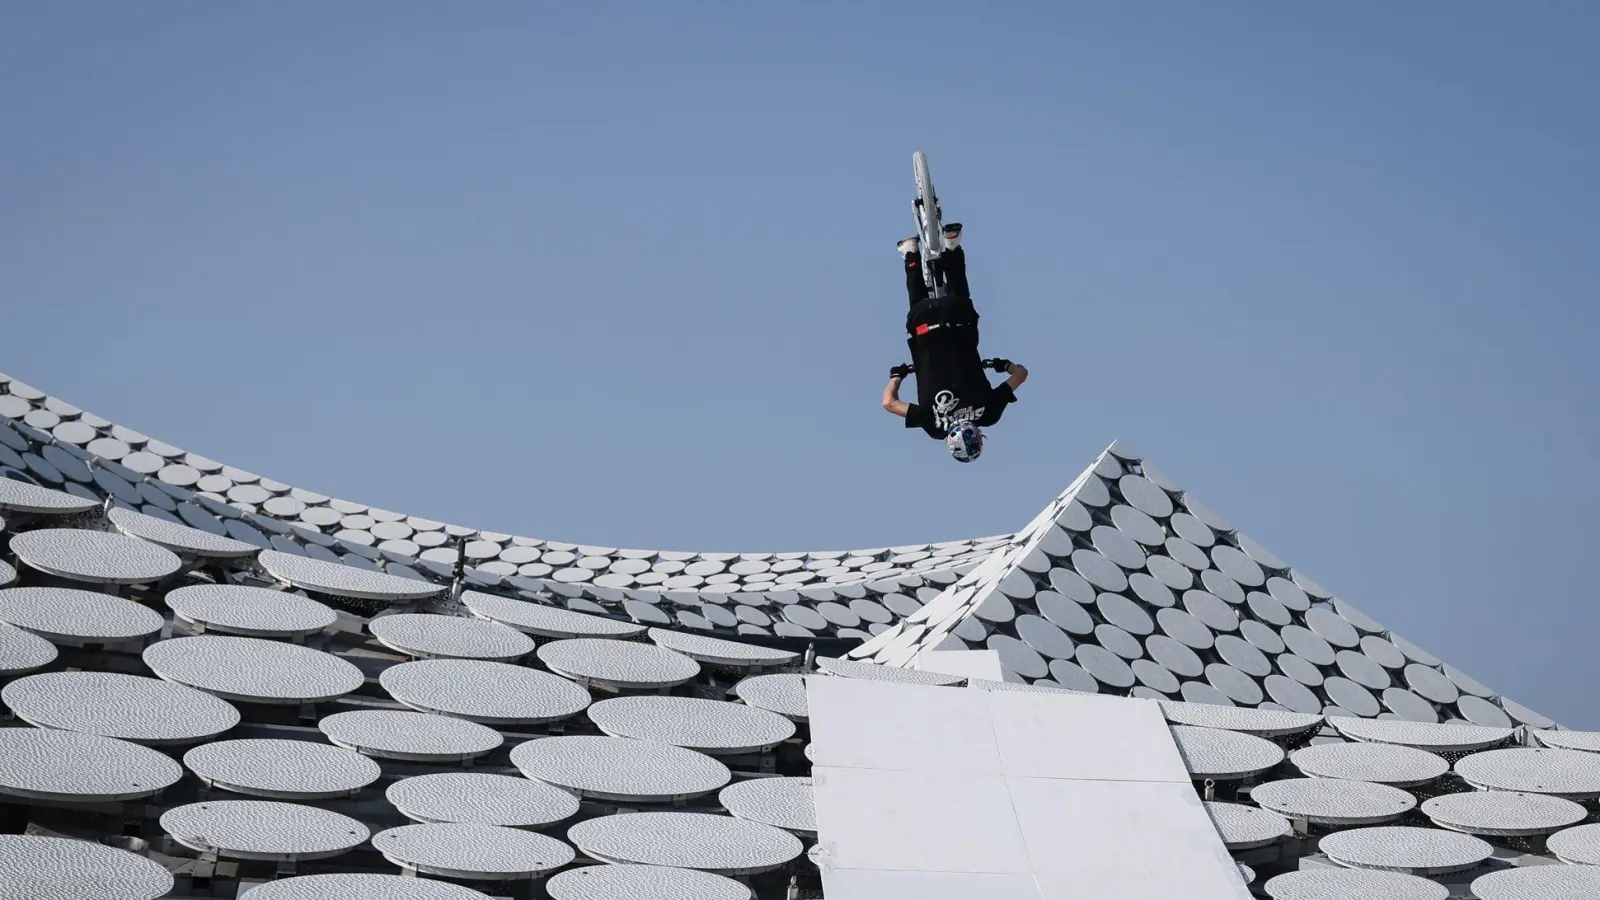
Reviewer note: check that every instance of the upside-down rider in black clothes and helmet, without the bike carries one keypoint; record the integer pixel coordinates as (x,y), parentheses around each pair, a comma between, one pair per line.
(954,398)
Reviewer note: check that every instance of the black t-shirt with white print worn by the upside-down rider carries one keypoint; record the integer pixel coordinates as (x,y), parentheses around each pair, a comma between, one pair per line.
(953,385)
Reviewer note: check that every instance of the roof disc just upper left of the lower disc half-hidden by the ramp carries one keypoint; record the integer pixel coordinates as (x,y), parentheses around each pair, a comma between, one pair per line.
(620,769)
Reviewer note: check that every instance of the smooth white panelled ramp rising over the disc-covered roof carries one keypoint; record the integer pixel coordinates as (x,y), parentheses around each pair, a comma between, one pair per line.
(940,794)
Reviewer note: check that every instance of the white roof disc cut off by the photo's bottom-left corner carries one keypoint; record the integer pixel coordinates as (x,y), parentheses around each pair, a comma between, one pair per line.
(65,869)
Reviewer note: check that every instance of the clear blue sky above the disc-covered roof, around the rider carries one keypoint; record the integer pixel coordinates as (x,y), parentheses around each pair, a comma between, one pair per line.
(625,275)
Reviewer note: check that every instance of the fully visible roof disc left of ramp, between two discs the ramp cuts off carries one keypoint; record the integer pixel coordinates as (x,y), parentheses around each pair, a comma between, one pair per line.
(708,726)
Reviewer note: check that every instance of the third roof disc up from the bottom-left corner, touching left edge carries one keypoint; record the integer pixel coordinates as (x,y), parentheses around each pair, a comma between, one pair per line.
(137,709)
